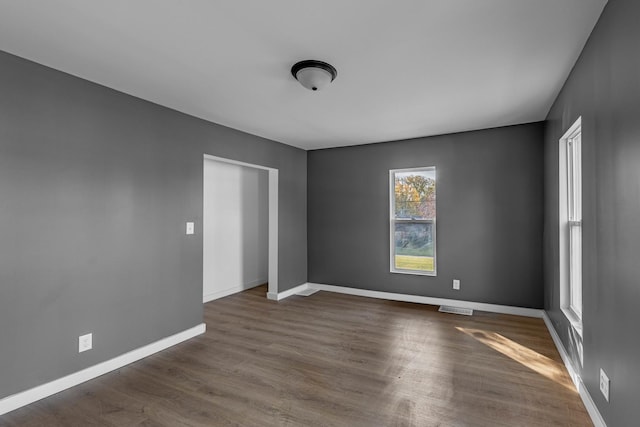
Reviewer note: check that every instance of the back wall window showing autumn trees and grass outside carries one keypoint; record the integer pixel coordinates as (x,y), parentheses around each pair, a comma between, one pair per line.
(413,220)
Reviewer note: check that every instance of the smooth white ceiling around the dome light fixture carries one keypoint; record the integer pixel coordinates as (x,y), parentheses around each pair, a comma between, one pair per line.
(406,68)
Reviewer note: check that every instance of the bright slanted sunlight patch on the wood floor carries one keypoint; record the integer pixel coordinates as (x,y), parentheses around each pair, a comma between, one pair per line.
(533,360)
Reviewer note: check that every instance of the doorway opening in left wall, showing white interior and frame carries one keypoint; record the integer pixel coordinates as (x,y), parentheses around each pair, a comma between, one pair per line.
(240,223)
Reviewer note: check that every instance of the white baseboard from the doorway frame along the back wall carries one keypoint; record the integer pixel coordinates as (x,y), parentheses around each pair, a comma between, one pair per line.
(493,308)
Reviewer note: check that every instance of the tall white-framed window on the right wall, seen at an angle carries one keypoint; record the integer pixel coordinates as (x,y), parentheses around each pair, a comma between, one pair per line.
(571,224)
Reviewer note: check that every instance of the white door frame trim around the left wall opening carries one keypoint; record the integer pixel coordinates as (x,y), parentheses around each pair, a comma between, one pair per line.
(273,217)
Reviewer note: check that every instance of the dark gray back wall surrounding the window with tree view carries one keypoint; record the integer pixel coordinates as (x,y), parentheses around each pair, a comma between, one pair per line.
(489,215)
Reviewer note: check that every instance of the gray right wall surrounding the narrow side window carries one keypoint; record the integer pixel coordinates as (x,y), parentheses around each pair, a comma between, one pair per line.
(603,88)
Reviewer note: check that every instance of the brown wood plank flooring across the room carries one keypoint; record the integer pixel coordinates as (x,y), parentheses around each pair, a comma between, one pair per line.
(332,360)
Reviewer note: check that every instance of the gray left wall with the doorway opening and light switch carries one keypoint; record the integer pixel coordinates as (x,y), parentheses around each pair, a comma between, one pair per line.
(95,190)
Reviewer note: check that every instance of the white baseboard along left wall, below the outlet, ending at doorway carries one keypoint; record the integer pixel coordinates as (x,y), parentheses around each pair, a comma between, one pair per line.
(26,397)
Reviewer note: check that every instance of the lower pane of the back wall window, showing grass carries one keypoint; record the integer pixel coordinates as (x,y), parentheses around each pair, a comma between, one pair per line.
(414,246)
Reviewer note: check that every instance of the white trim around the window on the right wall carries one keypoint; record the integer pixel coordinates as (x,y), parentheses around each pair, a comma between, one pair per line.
(574,317)
